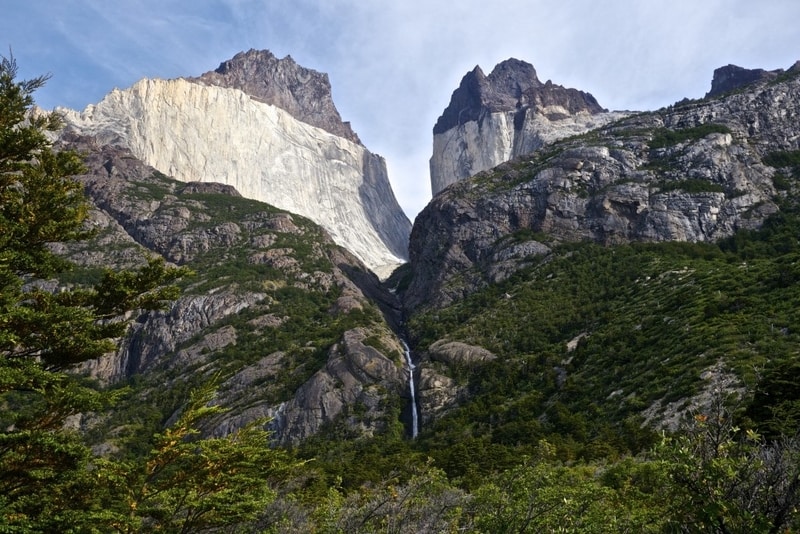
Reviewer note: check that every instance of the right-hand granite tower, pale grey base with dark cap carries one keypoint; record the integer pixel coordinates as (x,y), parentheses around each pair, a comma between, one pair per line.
(509,113)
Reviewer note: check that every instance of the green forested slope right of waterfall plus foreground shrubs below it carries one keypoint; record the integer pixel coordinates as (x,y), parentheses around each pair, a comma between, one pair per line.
(652,324)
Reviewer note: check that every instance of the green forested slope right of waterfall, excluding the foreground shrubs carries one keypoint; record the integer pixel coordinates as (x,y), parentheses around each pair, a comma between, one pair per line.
(650,319)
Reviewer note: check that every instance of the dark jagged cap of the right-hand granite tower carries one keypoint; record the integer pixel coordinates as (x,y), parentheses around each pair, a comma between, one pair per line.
(511,86)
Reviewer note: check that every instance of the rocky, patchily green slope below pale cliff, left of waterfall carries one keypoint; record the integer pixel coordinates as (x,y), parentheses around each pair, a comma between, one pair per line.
(264,279)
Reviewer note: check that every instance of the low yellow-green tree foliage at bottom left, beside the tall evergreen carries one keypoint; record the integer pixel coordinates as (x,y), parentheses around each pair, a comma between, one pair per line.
(186,484)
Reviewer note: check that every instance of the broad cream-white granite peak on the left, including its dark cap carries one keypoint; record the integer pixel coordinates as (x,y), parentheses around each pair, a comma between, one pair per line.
(269,128)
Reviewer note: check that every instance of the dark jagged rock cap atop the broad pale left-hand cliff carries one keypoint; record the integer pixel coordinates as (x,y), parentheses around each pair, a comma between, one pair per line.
(304,93)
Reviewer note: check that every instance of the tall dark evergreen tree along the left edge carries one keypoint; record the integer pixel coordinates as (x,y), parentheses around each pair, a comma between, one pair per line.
(42,333)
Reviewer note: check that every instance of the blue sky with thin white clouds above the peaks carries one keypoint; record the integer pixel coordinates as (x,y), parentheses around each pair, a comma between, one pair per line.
(393,65)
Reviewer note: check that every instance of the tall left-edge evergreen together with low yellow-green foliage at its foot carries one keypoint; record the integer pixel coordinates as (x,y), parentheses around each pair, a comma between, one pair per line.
(49,480)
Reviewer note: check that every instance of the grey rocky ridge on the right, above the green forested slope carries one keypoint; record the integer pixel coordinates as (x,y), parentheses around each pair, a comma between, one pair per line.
(695,171)
